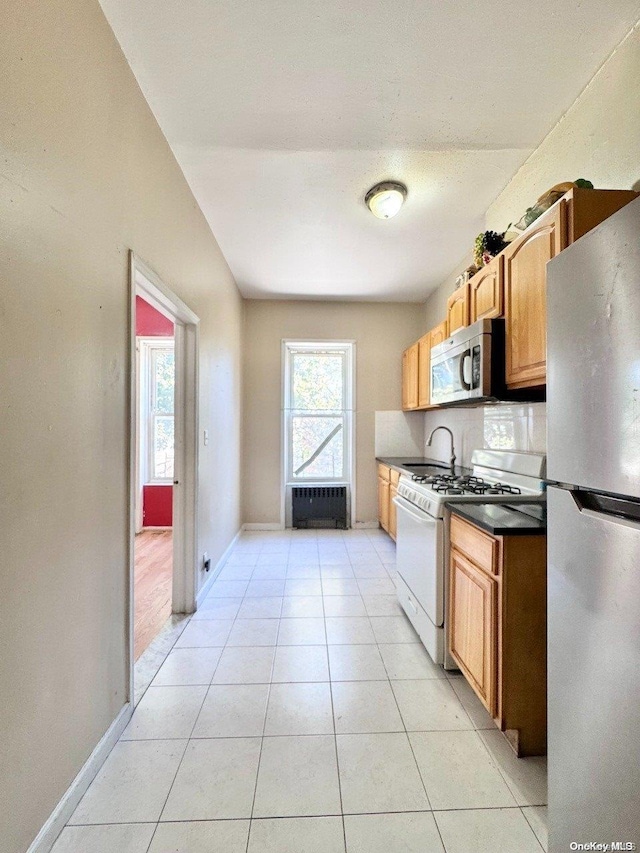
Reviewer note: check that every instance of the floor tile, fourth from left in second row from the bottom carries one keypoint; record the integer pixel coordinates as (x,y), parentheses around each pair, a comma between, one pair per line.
(378,773)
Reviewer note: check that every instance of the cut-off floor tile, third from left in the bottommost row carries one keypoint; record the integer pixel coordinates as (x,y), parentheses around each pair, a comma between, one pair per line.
(297,835)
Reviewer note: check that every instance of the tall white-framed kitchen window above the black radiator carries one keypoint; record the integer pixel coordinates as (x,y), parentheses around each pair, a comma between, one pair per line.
(318,411)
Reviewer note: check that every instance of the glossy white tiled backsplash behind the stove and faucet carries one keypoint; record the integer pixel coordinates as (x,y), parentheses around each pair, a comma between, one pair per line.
(500,426)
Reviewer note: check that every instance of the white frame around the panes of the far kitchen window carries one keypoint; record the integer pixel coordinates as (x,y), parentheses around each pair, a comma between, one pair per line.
(289,349)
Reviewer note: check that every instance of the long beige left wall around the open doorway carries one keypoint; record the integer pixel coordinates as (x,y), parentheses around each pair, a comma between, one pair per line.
(85,174)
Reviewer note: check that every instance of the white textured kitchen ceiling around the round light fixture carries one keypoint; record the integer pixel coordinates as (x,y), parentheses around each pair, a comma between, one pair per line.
(282,113)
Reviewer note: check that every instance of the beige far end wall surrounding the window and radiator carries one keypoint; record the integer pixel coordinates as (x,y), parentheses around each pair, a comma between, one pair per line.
(381,332)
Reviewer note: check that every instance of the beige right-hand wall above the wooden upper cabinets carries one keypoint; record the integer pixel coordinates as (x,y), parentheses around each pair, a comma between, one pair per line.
(598,138)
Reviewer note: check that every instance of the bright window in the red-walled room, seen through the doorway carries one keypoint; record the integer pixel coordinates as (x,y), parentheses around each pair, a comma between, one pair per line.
(157,373)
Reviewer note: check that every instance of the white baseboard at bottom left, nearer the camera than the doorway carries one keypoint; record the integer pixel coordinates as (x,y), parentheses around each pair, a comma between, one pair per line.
(59,817)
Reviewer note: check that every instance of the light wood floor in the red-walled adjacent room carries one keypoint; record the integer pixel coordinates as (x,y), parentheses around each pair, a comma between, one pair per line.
(152,587)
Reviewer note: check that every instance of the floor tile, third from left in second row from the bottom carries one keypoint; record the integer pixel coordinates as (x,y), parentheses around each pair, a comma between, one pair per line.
(298,776)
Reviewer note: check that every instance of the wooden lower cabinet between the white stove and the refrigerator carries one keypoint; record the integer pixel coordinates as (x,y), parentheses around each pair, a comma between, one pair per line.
(497,628)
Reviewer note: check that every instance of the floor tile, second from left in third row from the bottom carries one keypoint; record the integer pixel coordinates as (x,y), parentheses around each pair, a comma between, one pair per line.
(233,710)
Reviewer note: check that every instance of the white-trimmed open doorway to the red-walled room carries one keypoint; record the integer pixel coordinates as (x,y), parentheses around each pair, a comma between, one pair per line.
(163,462)
